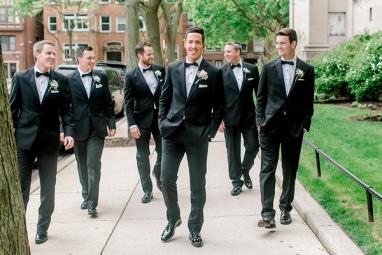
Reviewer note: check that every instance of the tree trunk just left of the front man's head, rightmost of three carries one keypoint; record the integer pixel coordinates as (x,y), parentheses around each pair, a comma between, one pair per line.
(171,12)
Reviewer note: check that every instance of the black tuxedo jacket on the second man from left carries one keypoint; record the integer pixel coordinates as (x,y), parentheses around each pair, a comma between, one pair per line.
(93,114)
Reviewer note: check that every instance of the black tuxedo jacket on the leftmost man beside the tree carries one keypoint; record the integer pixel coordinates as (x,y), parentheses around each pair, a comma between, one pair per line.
(33,120)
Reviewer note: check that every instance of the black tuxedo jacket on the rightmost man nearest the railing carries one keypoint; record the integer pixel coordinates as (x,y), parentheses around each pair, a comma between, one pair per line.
(273,103)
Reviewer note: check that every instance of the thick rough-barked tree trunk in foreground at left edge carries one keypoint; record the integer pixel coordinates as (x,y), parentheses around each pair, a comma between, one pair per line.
(13,234)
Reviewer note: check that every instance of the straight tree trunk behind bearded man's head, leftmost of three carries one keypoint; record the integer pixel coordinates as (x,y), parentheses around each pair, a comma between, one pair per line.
(132,32)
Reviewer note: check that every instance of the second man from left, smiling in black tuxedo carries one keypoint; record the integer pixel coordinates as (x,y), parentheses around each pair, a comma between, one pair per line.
(94,119)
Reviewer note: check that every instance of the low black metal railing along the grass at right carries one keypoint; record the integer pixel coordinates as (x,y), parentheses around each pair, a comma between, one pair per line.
(370,192)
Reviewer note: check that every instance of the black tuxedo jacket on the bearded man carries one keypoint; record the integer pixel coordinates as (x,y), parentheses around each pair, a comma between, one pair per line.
(139,101)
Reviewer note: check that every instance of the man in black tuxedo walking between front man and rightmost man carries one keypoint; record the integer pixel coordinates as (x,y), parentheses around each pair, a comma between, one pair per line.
(240,80)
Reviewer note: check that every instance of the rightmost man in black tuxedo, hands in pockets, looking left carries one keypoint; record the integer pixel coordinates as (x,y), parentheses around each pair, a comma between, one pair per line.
(283,113)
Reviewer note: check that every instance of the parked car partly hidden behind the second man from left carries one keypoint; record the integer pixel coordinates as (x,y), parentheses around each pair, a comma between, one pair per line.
(115,84)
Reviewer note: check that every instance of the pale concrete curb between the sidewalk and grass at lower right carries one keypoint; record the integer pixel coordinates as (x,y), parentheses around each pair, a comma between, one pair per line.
(332,237)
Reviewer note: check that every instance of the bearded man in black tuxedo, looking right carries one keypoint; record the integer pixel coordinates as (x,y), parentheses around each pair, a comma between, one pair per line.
(142,90)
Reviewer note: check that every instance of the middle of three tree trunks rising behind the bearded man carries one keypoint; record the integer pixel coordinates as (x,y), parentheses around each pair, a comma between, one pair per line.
(151,8)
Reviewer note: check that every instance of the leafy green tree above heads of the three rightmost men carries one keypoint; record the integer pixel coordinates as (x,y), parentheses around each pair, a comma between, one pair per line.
(240,20)
